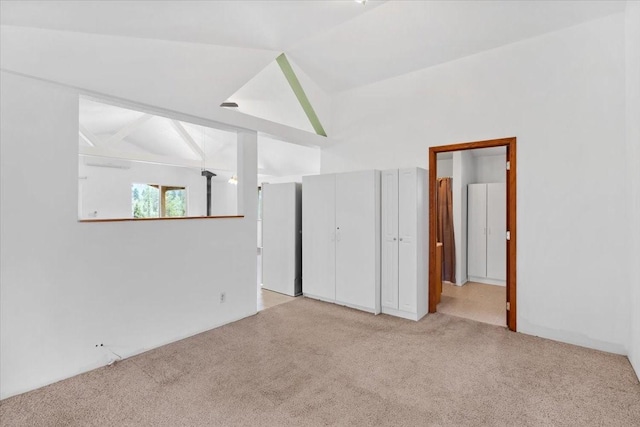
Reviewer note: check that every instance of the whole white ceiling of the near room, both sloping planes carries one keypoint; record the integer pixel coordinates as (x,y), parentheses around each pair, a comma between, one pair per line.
(340,45)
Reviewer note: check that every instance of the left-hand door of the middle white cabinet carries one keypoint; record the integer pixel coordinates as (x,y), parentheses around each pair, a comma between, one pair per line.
(318,243)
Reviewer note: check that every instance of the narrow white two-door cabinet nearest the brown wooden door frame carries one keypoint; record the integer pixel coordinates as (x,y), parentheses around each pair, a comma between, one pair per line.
(405,239)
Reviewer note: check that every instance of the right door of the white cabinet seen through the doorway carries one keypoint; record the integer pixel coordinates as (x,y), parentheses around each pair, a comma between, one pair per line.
(496,231)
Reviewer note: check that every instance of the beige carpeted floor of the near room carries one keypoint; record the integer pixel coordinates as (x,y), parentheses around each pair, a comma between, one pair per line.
(313,363)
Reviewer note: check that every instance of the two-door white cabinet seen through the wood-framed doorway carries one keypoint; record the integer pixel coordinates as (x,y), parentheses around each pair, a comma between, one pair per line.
(487,229)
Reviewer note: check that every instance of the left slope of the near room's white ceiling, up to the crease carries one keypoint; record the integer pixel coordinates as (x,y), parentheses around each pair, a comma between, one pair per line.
(273,25)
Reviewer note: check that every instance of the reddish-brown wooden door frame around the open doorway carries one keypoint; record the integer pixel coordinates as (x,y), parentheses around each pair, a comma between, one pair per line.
(510,144)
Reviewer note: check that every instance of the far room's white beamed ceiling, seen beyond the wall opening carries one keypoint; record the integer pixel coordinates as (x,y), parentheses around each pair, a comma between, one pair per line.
(156,140)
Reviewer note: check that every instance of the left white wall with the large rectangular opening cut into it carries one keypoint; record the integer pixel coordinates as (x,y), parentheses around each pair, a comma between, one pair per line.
(67,286)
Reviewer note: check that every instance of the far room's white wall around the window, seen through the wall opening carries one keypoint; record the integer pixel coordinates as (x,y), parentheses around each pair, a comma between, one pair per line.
(107,191)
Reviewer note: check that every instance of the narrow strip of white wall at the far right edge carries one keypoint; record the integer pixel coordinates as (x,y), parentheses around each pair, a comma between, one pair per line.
(633,162)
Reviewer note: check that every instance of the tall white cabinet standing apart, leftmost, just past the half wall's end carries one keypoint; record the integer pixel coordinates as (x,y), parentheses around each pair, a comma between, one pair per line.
(281,238)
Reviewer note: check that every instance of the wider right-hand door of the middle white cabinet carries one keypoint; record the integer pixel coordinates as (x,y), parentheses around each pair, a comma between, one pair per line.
(356,239)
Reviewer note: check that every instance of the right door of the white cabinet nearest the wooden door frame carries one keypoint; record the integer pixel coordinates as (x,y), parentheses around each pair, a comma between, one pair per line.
(407,224)
